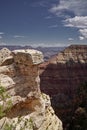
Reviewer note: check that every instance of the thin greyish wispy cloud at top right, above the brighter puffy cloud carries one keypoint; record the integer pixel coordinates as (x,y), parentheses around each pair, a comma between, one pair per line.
(78,7)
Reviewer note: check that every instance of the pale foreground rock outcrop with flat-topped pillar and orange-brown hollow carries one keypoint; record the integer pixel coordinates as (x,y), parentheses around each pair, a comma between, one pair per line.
(22,105)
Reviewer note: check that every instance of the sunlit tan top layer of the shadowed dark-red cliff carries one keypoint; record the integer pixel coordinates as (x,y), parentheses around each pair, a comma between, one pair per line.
(74,53)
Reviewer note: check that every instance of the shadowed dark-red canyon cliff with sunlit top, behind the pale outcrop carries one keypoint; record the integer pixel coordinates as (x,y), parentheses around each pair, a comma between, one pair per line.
(61,76)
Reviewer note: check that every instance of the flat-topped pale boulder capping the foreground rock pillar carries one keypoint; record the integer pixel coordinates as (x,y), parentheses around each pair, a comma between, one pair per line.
(28,57)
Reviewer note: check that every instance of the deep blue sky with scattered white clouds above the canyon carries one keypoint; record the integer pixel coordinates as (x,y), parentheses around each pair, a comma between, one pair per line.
(43,22)
